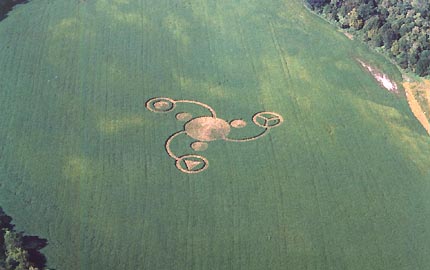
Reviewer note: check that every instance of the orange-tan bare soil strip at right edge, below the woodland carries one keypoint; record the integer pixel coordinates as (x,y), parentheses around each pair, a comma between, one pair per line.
(418,95)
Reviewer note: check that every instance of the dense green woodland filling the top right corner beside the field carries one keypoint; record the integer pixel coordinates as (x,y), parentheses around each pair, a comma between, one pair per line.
(399,28)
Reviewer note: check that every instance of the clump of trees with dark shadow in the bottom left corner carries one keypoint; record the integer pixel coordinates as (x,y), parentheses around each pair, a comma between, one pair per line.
(14,245)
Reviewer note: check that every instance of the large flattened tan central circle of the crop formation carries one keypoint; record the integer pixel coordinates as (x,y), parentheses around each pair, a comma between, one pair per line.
(207,129)
